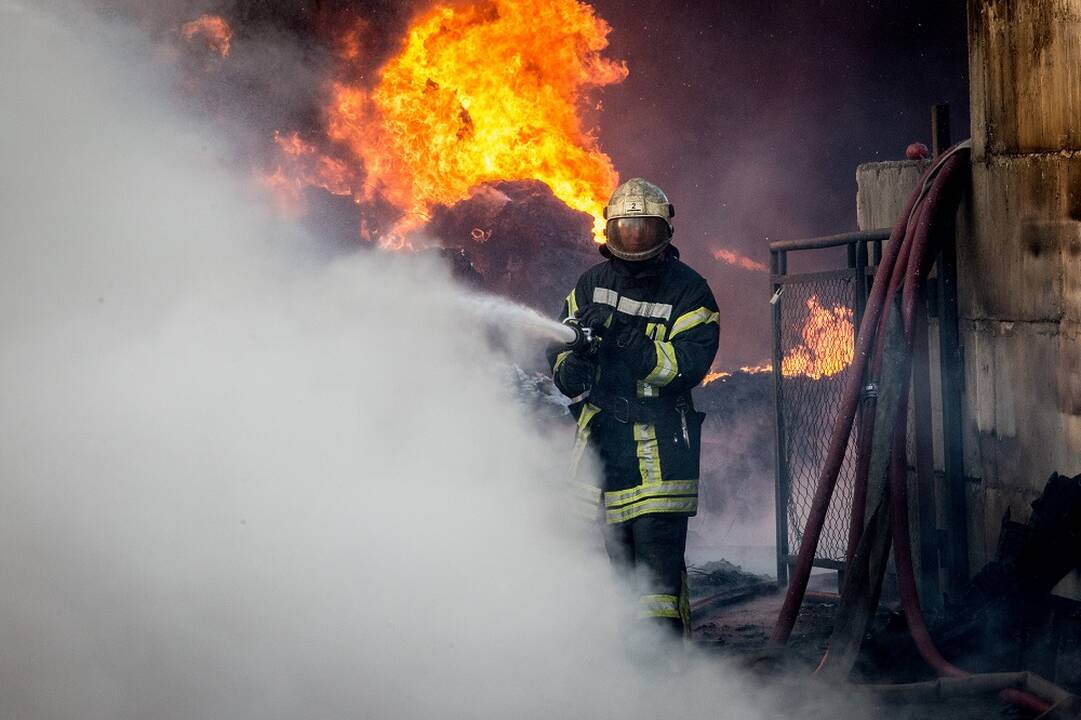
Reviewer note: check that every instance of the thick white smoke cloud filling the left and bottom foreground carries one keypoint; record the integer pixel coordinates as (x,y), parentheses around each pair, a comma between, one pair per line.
(242,481)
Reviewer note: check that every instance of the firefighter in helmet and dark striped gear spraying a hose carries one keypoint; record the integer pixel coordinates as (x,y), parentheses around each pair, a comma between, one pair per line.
(657,327)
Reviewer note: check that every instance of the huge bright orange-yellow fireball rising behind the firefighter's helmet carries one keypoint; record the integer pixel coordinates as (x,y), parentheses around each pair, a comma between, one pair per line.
(481,92)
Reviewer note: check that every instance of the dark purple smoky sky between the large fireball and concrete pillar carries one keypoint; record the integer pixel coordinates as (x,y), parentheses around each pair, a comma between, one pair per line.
(754,117)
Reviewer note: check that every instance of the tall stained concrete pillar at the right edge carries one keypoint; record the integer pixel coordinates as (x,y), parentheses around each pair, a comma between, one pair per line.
(1020,271)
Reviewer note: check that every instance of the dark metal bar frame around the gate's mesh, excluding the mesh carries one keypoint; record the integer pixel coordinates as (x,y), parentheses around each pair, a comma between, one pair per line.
(858,273)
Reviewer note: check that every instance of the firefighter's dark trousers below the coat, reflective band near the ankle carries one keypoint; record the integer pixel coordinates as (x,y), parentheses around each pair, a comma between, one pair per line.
(650,550)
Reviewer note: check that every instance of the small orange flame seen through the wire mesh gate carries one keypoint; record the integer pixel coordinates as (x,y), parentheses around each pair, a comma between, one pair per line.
(829,343)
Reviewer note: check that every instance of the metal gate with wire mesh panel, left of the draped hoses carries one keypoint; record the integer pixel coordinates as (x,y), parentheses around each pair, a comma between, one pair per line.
(816,318)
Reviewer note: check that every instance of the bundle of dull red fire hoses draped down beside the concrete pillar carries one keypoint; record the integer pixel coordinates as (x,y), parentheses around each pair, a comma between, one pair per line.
(909,257)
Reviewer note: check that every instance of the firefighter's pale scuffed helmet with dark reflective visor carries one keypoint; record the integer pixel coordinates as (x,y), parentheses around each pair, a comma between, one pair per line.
(639,221)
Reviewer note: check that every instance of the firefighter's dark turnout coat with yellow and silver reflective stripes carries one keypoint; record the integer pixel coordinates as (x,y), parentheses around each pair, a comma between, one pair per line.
(638,415)
